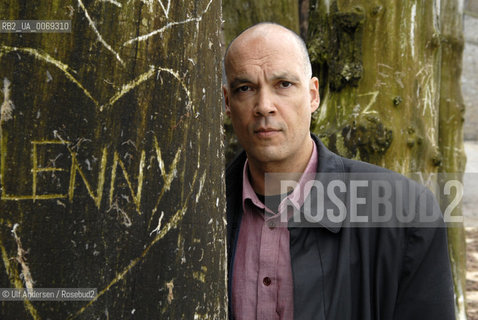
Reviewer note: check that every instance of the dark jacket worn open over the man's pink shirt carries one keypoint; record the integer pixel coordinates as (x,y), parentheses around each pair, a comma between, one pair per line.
(357,273)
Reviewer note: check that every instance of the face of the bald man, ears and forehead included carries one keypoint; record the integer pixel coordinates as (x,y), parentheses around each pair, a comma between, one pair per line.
(269,98)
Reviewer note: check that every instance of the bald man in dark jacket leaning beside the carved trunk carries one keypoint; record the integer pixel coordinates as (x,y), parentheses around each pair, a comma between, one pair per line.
(324,271)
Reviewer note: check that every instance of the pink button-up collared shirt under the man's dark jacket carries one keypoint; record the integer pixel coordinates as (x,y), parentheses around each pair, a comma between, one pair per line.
(262,286)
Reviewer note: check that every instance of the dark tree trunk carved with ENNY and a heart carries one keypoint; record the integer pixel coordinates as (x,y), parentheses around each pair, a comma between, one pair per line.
(111,160)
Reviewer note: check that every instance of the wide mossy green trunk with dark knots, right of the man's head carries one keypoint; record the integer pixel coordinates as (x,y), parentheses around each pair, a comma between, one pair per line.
(369,69)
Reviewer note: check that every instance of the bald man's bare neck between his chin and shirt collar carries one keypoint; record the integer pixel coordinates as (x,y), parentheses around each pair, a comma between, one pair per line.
(290,170)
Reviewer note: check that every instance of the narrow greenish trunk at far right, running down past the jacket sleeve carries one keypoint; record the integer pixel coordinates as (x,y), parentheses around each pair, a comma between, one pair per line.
(452,111)
